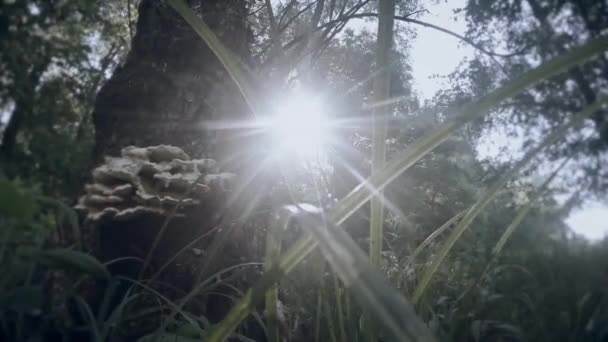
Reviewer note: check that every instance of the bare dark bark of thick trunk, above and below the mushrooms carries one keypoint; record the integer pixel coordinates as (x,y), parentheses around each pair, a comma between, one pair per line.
(167,91)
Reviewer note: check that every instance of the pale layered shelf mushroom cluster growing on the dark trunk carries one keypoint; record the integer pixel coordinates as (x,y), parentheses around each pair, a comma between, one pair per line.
(151,181)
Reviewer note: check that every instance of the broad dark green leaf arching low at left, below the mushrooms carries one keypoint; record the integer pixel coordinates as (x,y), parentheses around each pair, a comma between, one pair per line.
(73,260)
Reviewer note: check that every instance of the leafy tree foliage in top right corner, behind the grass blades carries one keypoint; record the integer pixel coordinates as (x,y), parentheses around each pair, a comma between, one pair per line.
(535,32)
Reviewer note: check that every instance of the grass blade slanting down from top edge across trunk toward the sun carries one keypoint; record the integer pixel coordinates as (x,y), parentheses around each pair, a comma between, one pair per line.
(227,58)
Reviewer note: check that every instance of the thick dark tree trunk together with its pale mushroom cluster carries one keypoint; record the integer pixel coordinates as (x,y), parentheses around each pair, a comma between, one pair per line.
(169,88)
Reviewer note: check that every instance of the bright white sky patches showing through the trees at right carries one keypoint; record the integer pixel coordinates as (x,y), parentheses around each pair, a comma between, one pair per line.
(435,53)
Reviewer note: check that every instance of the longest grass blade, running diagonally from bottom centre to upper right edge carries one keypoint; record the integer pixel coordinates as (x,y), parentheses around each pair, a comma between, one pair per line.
(362,193)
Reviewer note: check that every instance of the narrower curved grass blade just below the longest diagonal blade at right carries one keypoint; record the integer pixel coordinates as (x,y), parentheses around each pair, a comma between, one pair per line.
(491,192)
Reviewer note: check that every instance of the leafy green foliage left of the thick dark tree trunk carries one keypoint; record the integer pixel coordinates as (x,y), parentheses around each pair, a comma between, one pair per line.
(53,59)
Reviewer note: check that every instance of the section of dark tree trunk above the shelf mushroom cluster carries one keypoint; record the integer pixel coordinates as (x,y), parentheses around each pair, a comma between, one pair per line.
(171,84)
